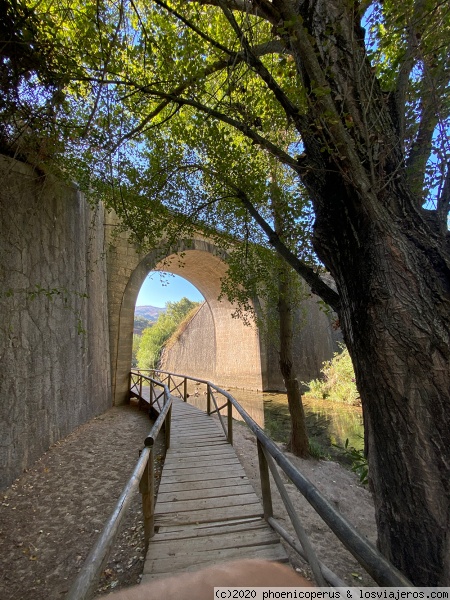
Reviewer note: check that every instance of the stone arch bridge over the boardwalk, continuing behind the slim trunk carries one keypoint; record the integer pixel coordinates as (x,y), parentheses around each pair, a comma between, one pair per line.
(215,346)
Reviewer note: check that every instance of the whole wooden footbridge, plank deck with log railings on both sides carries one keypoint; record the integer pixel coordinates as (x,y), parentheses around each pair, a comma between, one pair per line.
(206,510)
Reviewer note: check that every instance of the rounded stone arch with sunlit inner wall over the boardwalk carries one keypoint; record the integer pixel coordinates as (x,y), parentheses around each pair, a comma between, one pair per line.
(234,356)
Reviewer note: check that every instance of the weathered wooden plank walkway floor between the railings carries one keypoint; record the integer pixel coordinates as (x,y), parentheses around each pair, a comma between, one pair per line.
(207,511)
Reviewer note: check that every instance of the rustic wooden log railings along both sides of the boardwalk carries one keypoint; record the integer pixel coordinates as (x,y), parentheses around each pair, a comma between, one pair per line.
(163,386)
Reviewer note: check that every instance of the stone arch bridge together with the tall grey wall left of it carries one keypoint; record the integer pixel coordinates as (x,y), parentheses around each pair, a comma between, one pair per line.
(68,287)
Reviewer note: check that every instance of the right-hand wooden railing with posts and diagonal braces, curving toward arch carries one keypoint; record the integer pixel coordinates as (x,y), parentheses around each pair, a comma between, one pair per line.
(378,567)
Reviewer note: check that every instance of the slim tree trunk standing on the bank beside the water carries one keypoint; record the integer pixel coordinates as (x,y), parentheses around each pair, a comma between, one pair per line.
(298,441)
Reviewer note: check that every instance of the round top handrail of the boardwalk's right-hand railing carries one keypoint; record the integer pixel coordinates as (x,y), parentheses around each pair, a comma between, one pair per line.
(378,567)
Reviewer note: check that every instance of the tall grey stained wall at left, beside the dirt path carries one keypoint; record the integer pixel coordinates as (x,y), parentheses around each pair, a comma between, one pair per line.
(54,346)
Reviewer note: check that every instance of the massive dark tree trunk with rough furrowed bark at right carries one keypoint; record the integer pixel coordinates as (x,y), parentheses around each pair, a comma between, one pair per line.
(392,272)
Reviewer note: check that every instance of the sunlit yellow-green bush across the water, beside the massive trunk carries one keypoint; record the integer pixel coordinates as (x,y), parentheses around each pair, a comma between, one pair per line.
(337,381)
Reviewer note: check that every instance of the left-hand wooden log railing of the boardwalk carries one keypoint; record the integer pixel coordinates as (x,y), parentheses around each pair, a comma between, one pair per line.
(142,477)
